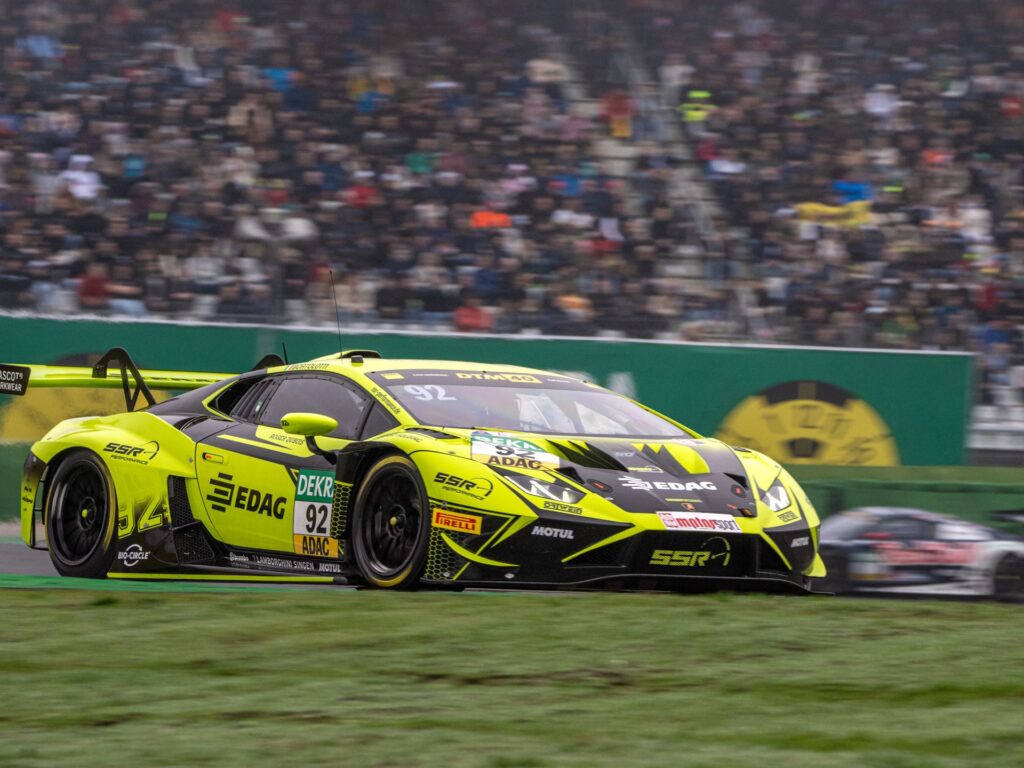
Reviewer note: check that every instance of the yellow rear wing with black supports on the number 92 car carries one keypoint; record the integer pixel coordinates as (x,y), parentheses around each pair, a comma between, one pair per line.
(135,383)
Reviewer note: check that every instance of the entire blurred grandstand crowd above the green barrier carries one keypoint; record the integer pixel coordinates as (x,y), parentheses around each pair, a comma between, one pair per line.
(209,159)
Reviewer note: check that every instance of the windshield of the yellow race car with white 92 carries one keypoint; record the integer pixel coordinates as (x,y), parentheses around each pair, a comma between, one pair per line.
(531,404)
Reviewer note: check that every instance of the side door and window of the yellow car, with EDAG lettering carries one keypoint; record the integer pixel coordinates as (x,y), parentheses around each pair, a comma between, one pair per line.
(264,489)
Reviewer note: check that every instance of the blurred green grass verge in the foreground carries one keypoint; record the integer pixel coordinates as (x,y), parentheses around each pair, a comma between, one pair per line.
(328,677)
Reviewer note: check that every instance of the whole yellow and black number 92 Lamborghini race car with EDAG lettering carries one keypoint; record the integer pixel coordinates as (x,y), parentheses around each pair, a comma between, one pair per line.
(400,475)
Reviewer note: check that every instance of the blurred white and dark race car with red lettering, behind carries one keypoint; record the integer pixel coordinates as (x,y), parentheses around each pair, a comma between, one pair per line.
(895,550)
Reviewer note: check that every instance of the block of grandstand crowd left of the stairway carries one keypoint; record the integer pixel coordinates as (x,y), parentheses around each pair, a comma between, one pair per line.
(185,159)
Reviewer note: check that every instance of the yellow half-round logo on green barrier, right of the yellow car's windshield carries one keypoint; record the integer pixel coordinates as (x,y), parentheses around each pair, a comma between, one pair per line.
(812,422)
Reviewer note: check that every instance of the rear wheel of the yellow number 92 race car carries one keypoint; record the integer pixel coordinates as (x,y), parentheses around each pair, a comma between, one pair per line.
(81,517)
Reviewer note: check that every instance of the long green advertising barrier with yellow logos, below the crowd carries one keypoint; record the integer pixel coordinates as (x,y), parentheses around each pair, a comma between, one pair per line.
(798,405)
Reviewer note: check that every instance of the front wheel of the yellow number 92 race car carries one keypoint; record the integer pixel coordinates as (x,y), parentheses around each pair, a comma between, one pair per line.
(392,526)
